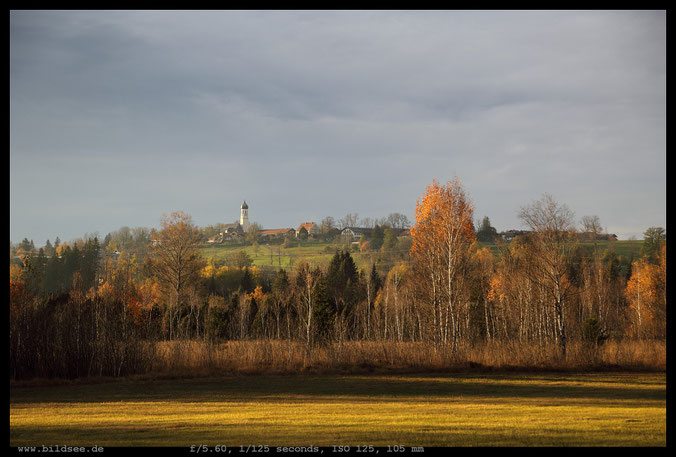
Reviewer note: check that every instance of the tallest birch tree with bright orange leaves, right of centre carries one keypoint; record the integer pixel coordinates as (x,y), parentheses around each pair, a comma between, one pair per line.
(440,240)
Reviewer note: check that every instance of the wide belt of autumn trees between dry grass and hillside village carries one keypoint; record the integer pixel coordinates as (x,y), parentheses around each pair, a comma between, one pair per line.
(85,312)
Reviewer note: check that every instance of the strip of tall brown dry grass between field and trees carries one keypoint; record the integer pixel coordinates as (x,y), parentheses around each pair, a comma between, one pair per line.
(278,357)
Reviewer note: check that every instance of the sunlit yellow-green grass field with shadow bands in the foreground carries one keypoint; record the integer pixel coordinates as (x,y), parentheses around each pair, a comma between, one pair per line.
(411,410)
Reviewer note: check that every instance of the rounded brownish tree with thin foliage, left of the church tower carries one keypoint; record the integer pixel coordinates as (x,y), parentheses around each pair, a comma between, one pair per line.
(175,262)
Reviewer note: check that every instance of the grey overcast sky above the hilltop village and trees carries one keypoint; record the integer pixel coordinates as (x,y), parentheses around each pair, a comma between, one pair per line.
(117,117)
